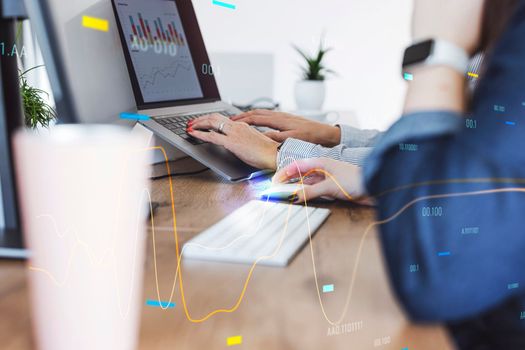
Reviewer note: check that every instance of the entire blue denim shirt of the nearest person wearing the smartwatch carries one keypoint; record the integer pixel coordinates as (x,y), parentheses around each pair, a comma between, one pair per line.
(451,197)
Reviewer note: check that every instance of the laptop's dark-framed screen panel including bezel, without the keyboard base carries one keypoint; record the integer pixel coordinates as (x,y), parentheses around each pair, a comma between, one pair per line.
(164,51)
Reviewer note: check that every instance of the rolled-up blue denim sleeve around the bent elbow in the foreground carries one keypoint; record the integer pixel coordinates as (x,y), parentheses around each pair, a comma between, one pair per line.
(444,233)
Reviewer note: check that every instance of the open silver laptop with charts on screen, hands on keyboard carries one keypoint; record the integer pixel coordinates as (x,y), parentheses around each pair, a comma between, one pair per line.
(172,78)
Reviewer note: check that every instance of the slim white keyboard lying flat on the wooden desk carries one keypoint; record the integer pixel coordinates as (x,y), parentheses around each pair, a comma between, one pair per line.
(257,232)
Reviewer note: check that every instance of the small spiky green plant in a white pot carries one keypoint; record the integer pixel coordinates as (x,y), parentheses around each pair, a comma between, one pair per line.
(310,91)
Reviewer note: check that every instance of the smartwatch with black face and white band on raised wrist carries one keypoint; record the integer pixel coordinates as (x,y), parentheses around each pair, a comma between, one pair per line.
(435,52)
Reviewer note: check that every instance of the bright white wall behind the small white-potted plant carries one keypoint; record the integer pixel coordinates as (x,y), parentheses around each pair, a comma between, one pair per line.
(368,37)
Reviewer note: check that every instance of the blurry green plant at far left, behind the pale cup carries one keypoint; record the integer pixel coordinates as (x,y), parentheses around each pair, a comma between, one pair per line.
(37,112)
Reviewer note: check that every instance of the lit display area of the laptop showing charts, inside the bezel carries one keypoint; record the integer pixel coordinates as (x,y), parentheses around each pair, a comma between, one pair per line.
(159,50)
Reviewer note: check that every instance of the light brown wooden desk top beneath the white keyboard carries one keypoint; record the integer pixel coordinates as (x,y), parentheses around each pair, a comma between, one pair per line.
(280,309)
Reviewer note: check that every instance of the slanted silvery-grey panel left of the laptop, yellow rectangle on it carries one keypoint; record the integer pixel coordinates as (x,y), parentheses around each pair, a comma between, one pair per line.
(92,57)
